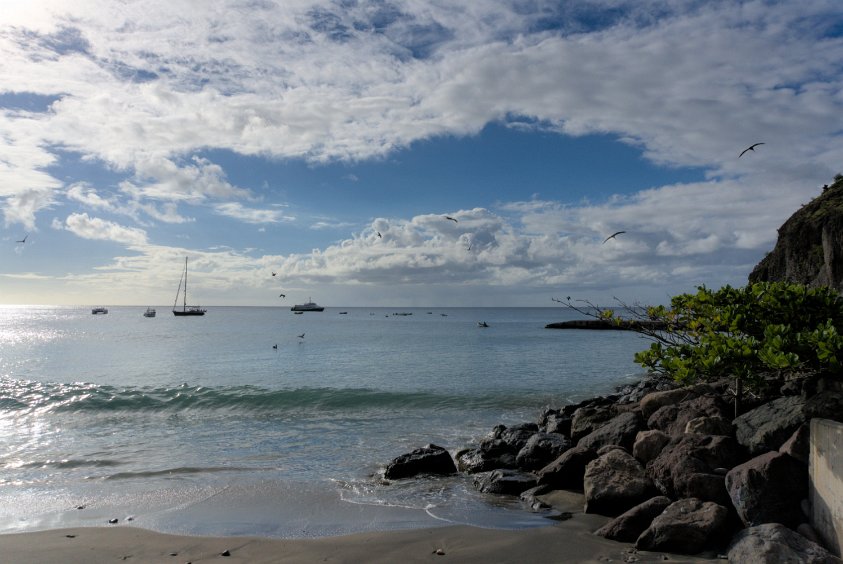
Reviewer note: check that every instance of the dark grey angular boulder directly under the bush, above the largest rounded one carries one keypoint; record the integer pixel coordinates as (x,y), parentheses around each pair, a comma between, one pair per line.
(768,426)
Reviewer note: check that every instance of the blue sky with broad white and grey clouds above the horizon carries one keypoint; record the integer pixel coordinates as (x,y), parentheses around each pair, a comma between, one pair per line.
(327,142)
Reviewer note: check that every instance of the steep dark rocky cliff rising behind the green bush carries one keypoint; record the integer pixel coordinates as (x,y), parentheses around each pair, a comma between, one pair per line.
(809,249)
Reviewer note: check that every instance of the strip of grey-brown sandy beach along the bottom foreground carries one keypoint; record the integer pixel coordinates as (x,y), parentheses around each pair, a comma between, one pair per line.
(565,541)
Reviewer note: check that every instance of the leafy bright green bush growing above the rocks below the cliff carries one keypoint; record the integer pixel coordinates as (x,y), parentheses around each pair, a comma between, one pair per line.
(743,332)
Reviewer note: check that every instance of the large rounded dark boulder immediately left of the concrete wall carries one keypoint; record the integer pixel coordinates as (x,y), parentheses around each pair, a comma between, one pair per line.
(769,489)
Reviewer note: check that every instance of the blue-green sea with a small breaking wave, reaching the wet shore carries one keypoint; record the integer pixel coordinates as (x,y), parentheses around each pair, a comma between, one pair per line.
(235,424)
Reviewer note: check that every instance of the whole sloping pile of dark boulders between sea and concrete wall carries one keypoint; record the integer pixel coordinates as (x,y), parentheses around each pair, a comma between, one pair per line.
(673,467)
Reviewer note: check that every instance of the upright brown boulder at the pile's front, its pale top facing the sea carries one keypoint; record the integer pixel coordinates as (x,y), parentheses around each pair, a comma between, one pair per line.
(614,483)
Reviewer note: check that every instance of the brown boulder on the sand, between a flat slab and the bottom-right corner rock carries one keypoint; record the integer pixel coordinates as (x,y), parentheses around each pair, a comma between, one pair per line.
(686,527)
